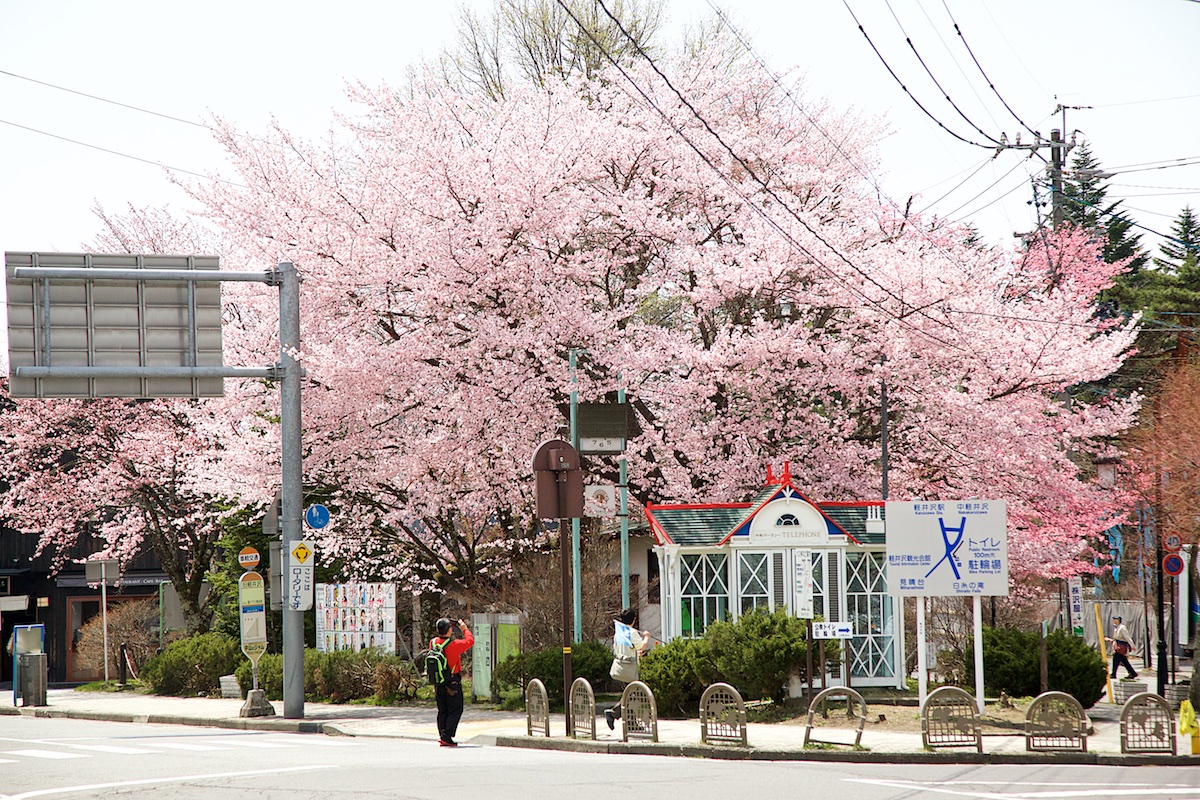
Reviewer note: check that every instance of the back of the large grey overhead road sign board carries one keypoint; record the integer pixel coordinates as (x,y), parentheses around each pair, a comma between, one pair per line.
(110,323)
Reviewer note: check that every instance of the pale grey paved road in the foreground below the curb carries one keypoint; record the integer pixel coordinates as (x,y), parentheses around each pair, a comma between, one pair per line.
(80,759)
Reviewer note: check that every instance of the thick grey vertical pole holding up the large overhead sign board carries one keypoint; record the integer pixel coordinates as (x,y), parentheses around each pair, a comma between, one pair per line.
(291,479)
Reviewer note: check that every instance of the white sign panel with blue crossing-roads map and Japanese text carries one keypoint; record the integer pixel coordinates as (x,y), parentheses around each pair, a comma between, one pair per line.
(945,549)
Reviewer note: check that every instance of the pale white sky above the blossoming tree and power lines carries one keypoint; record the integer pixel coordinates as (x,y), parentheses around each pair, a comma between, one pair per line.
(1133,62)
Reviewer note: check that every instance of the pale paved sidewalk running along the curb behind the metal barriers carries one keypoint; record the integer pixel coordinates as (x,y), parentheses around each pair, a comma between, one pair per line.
(479,726)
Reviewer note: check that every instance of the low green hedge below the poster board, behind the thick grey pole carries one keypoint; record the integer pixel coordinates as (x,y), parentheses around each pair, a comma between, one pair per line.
(340,677)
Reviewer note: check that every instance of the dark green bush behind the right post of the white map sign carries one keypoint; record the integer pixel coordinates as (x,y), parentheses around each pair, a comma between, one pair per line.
(1011,665)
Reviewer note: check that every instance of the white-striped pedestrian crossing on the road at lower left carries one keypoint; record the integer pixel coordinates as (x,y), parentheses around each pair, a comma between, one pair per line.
(65,750)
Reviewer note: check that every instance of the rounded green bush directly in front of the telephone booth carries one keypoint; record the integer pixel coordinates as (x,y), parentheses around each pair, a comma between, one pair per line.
(758,655)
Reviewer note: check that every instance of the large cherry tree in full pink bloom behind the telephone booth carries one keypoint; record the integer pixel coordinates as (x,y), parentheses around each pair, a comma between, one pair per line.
(722,260)
